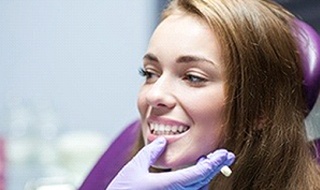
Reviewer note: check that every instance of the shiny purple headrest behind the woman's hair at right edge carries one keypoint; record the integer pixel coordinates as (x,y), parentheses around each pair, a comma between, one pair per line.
(309,42)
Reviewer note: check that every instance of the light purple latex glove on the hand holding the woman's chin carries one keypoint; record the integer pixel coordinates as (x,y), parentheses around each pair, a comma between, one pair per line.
(135,175)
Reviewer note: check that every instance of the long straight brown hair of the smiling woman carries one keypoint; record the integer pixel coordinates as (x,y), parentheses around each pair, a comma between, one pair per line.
(265,107)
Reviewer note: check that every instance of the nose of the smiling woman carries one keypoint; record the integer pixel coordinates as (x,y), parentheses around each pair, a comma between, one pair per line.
(161,94)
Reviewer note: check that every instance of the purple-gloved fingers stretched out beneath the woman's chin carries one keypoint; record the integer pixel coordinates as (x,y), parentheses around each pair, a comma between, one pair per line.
(201,173)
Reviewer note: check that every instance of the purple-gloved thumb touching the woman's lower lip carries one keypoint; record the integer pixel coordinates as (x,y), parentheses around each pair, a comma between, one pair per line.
(150,153)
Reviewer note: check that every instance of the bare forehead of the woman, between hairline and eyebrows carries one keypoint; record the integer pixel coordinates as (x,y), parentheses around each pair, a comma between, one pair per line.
(184,34)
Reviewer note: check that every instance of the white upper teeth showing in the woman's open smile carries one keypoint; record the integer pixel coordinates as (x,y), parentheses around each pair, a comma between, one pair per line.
(161,129)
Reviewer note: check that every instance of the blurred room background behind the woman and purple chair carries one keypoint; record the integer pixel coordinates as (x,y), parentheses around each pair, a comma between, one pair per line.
(69,81)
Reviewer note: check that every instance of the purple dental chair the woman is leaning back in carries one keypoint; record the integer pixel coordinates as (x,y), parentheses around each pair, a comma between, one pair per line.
(118,153)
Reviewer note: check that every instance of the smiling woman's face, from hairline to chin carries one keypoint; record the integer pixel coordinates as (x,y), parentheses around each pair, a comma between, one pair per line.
(183,96)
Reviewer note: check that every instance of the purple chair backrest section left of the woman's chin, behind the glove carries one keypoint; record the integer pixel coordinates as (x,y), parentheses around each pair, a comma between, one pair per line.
(115,157)
